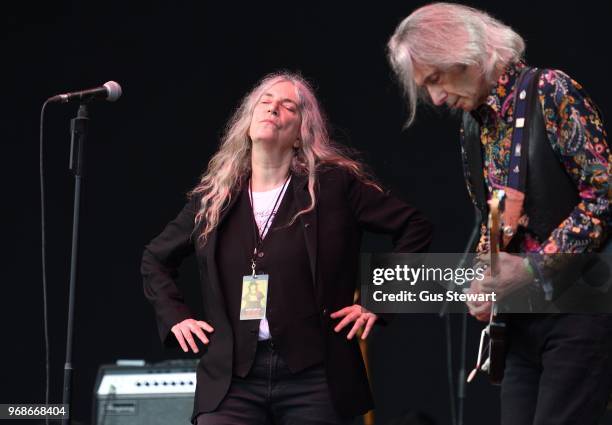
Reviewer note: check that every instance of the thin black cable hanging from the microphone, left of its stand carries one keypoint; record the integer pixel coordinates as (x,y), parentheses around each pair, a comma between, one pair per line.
(44,260)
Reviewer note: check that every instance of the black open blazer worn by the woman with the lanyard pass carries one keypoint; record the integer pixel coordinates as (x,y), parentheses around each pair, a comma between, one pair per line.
(345,207)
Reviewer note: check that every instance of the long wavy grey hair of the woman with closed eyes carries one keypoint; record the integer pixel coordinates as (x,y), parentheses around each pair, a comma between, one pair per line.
(233,159)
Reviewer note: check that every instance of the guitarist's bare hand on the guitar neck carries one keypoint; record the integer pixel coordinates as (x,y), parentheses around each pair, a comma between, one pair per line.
(512,274)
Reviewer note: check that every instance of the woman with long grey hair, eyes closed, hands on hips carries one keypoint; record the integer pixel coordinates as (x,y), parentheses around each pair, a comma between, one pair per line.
(276,224)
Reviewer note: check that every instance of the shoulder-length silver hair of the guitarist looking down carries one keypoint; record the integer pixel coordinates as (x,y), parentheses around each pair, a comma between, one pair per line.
(443,35)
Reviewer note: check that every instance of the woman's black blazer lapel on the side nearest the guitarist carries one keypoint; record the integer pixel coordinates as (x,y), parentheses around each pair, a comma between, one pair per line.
(308,221)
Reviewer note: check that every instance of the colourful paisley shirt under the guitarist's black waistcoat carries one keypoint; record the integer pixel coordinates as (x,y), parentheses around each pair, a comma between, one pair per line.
(576,134)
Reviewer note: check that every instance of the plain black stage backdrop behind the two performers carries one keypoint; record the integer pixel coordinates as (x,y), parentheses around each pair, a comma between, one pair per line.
(184,66)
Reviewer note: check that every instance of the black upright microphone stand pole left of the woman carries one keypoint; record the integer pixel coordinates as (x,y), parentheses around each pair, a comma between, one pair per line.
(78,130)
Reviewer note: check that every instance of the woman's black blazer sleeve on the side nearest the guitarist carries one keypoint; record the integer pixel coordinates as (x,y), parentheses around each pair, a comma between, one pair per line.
(378,211)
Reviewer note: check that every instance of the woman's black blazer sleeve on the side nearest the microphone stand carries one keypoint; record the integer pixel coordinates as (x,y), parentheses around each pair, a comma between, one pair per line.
(160,263)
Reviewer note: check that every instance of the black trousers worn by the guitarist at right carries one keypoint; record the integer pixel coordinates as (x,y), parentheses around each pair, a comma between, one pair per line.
(558,369)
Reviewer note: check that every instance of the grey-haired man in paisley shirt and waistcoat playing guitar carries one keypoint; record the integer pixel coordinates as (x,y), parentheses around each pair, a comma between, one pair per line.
(517,118)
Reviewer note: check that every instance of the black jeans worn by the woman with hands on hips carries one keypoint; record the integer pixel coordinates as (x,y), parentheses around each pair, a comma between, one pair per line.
(271,394)
